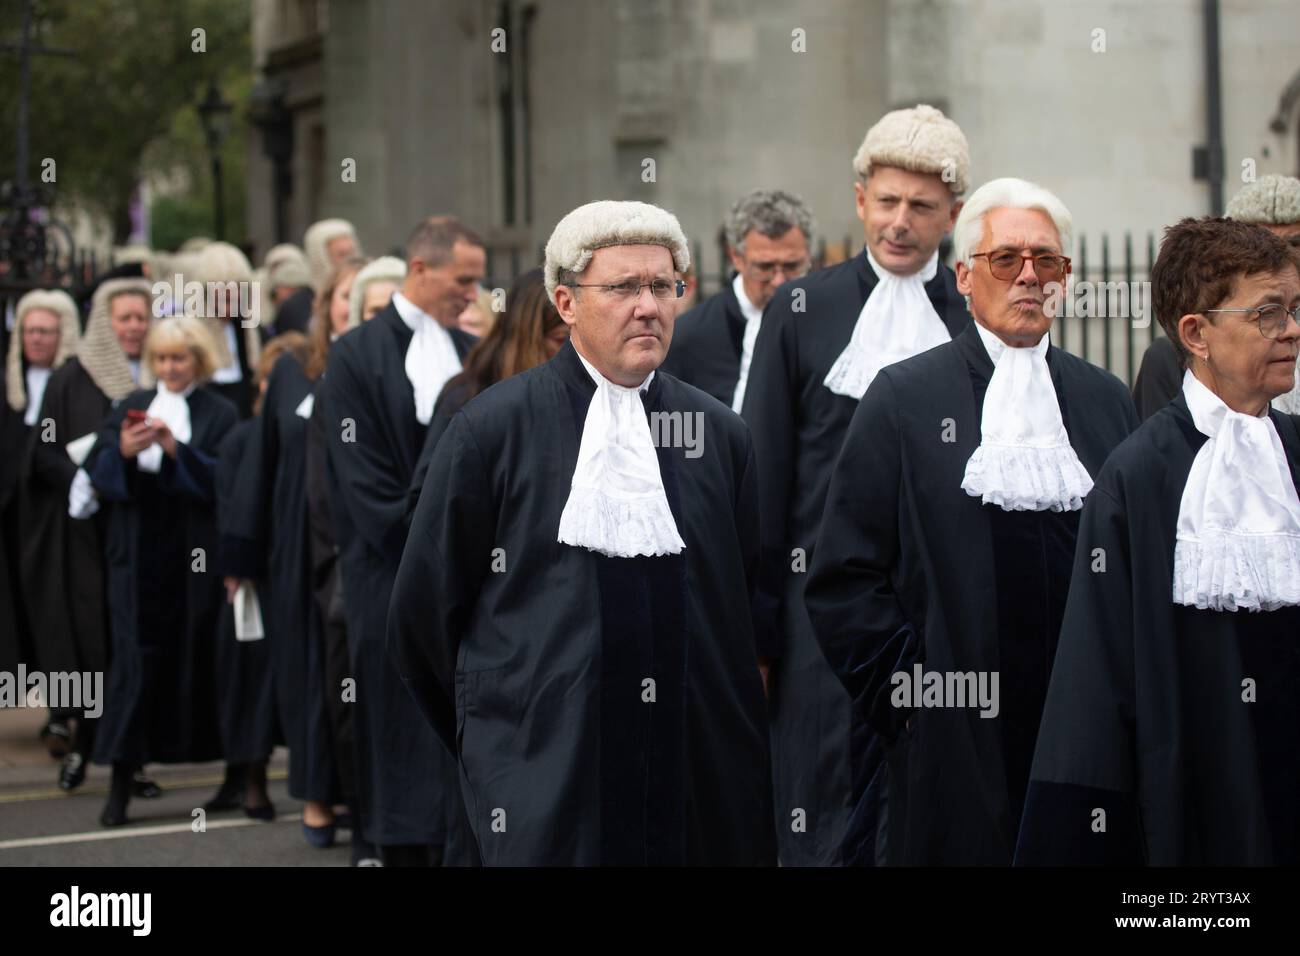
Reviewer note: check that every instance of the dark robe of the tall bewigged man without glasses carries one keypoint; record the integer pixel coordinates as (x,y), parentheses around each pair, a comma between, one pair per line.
(799,426)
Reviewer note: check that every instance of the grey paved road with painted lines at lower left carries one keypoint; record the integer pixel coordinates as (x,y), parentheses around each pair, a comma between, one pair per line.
(44,827)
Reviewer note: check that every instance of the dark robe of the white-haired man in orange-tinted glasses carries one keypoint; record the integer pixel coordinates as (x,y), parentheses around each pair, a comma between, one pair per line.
(911,569)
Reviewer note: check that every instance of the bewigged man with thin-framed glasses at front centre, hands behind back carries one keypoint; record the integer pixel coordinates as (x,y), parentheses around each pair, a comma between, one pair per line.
(573,608)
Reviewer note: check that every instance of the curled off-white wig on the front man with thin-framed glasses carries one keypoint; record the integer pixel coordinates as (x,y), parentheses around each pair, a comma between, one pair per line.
(612,223)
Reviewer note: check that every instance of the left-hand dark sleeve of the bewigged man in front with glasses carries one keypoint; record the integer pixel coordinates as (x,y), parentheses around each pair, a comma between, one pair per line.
(447,559)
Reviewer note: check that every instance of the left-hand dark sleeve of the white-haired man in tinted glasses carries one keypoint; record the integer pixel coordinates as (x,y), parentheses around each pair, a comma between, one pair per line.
(856,613)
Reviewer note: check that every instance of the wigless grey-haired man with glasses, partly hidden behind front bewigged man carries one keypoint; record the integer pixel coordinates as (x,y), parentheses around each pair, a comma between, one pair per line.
(769,233)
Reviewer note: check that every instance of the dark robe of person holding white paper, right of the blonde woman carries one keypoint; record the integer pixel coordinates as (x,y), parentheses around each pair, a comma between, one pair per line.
(246,694)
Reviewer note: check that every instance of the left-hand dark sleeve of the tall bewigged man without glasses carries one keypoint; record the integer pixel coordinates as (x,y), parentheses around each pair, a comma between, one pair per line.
(772,396)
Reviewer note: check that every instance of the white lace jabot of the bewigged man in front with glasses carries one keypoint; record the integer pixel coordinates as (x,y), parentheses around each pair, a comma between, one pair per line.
(617,503)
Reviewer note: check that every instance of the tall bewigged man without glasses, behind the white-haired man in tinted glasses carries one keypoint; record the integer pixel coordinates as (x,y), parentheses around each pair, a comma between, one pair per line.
(822,341)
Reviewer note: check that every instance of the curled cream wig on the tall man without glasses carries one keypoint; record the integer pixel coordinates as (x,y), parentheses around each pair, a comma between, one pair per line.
(921,140)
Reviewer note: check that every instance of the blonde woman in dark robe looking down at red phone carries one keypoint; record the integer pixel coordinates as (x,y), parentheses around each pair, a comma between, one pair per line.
(153,468)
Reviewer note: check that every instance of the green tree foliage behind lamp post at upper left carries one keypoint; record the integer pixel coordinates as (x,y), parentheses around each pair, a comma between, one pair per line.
(122,107)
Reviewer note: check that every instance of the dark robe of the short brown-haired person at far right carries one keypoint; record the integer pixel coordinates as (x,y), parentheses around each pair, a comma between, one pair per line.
(1147,719)
